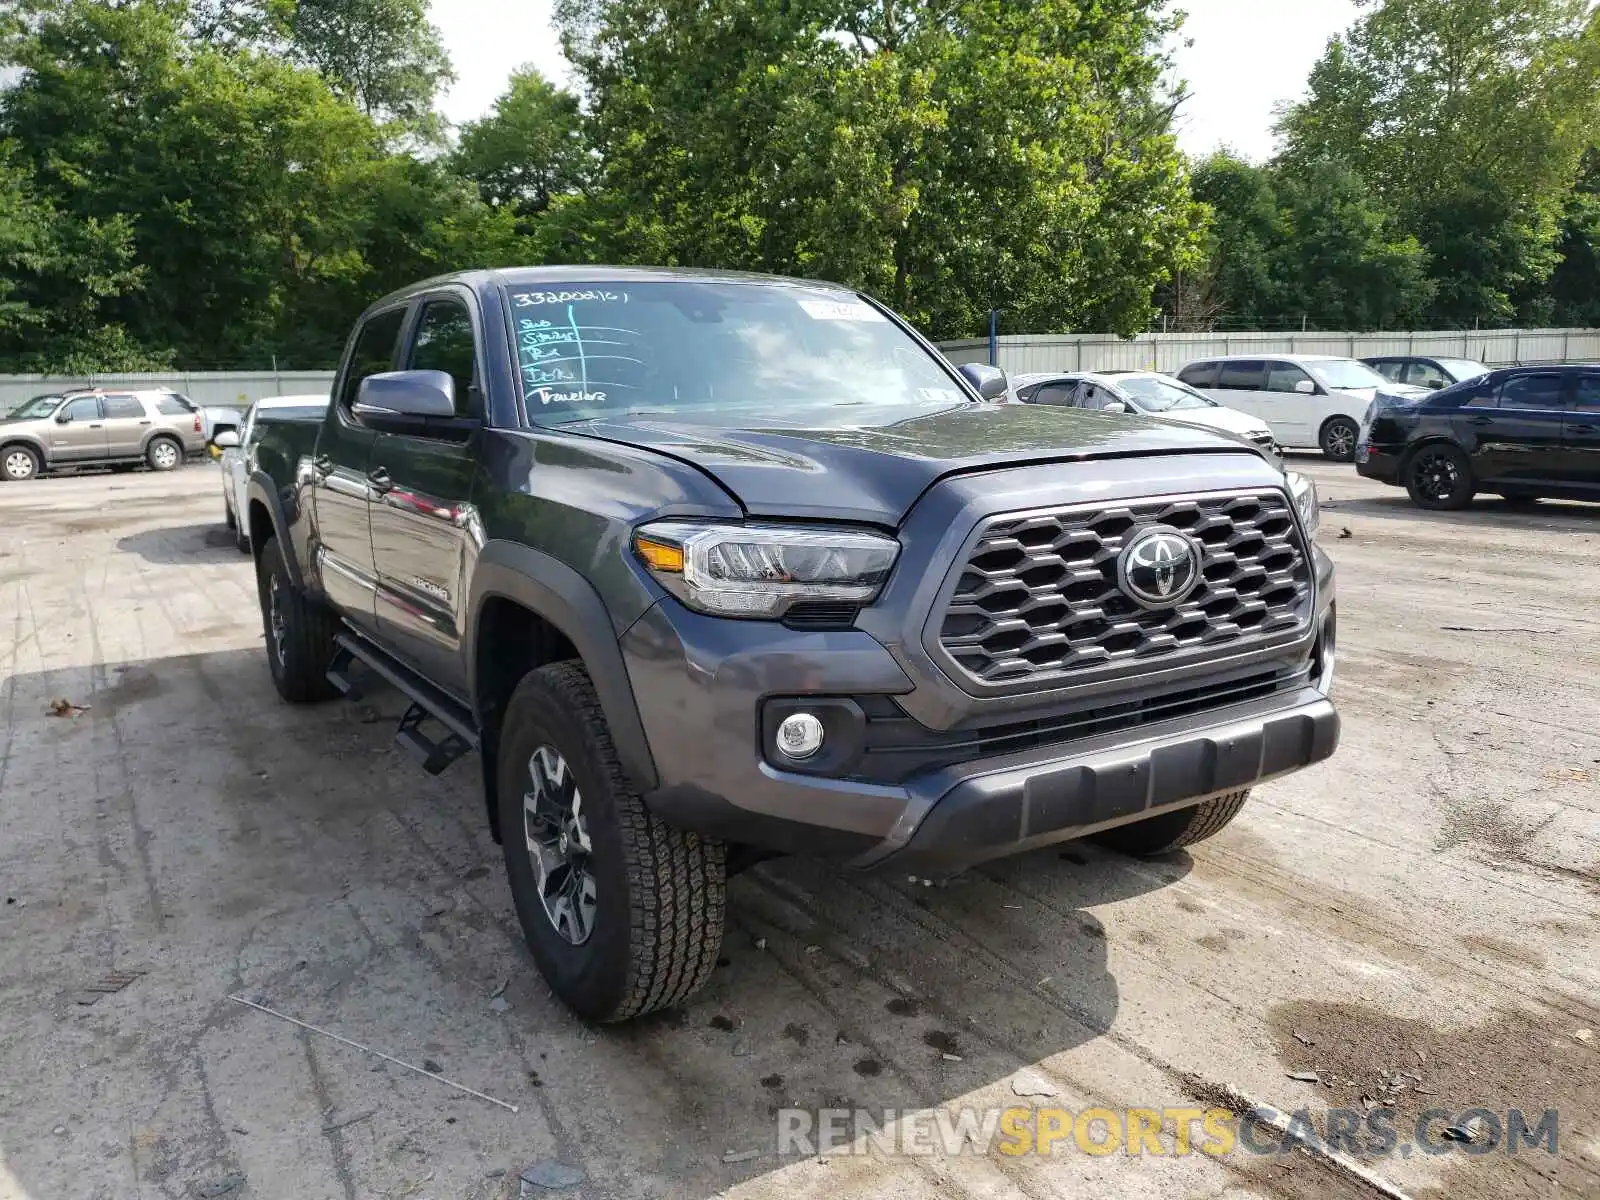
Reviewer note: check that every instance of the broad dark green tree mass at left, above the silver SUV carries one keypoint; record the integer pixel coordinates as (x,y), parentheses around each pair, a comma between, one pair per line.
(263,210)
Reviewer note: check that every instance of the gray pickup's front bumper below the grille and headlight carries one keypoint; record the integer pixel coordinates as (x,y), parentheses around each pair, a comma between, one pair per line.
(702,684)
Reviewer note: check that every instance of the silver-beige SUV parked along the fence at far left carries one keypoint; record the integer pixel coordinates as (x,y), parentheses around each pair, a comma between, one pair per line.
(156,428)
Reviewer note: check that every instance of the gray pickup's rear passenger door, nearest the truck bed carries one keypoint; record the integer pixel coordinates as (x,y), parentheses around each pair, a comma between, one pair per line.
(343,550)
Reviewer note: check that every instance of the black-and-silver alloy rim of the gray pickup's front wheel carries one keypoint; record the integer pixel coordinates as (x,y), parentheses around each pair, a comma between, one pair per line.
(558,836)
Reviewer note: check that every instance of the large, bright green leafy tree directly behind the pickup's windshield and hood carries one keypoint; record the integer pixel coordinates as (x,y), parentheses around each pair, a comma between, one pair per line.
(950,156)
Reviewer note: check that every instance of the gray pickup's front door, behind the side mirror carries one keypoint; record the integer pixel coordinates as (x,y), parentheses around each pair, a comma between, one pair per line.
(423,516)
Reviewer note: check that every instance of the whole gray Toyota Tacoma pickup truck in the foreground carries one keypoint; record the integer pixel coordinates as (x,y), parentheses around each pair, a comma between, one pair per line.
(711,567)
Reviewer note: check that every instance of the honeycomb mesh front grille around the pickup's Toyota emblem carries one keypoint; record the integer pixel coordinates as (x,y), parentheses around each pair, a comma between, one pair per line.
(1038,601)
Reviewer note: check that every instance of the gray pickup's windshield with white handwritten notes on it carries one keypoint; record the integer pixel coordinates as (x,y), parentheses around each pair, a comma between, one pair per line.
(604,350)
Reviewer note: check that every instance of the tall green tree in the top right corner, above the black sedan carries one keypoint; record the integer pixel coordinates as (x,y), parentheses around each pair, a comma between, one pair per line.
(1468,119)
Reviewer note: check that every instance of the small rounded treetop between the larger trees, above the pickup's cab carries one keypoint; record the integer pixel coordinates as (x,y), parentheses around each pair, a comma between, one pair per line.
(530,150)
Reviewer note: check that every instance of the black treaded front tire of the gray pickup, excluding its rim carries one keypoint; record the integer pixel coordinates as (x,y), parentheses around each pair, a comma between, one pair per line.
(658,890)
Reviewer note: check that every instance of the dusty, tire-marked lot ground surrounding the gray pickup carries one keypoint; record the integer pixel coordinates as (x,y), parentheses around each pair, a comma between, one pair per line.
(1417,922)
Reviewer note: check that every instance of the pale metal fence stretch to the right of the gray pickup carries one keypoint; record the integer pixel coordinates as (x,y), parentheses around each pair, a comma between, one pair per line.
(1025,353)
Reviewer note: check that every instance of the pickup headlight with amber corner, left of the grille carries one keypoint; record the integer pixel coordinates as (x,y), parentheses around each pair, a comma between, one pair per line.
(762,570)
